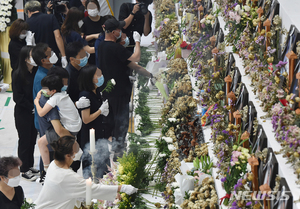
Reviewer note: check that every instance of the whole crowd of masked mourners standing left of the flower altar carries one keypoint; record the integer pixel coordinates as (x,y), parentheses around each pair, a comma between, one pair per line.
(61,65)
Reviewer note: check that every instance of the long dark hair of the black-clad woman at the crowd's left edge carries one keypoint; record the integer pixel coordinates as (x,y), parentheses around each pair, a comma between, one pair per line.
(22,68)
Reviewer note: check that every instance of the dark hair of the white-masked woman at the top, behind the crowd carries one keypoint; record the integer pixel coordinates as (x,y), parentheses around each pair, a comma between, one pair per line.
(71,21)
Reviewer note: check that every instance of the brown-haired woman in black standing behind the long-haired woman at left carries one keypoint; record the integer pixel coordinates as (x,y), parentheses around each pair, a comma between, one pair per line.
(17,35)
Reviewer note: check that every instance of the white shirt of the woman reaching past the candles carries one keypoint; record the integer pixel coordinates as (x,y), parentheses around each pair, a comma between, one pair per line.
(63,186)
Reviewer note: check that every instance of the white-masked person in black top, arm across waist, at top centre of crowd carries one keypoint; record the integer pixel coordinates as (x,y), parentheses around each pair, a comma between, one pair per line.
(92,25)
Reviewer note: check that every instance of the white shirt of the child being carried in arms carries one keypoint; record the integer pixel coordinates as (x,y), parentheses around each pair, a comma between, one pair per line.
(69,116)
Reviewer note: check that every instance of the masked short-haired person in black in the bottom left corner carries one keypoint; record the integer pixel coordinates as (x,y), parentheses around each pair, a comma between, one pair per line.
(11,194)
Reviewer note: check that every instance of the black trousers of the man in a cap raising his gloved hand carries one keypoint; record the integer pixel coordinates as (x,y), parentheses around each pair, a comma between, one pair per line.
(119,107)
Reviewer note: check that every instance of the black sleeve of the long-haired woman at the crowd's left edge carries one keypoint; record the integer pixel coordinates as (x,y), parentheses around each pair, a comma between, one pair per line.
(19,94)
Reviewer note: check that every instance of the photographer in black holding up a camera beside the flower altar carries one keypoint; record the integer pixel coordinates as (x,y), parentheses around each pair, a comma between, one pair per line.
(135,21)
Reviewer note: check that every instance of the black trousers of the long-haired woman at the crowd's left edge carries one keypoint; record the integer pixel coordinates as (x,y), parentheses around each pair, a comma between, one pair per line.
(24,122)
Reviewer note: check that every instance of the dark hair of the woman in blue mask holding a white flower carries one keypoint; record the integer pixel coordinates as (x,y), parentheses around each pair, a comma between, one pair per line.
(85,79)
